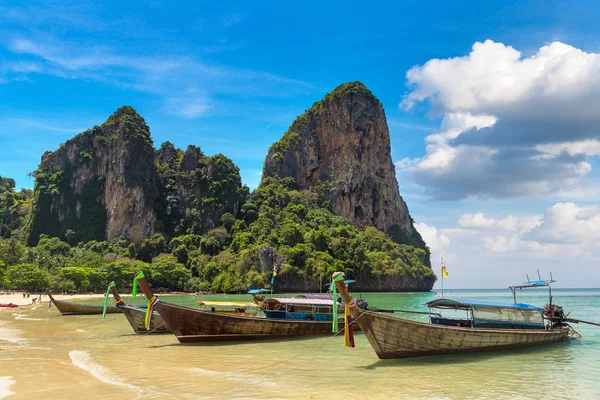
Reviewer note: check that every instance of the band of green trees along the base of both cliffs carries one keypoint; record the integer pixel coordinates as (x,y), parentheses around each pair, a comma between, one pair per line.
(309,243)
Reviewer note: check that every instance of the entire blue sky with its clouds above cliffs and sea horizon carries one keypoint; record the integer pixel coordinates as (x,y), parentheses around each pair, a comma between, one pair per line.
(490,105)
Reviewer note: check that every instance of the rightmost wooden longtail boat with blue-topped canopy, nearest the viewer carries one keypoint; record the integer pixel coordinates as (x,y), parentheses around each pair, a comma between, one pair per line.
(488,326)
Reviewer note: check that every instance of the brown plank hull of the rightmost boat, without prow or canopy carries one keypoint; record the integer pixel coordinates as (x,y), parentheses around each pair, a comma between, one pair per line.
(393,337)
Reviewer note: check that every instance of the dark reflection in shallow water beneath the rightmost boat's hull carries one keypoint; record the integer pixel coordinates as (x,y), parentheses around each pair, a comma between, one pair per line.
(550,352)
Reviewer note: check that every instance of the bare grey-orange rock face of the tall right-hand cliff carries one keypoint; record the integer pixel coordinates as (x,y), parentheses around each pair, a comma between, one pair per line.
(343,142)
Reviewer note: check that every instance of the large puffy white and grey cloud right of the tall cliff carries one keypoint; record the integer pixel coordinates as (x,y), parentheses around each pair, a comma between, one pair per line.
(512,126)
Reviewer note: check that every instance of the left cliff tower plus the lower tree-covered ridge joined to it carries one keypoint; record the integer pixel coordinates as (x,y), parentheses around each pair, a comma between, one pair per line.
(109,182)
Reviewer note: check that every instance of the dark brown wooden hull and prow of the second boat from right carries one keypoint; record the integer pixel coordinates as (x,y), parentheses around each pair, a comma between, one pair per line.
(193,325)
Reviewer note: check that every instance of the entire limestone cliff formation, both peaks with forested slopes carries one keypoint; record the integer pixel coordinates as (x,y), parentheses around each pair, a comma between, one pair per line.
(328,200)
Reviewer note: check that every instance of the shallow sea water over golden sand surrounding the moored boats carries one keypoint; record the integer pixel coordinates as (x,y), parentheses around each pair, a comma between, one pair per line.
(50,356)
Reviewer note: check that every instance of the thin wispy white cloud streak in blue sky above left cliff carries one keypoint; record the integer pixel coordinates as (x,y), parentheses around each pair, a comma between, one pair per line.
(186,85)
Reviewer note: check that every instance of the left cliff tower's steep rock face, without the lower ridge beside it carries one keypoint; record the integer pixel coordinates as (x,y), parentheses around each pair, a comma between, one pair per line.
(98,184)
